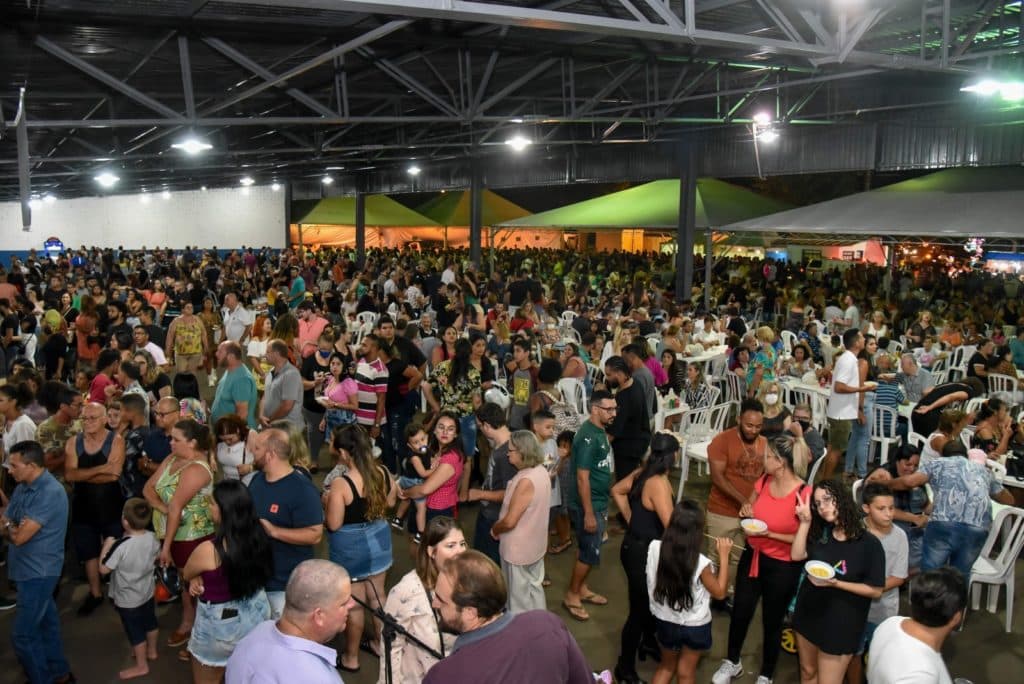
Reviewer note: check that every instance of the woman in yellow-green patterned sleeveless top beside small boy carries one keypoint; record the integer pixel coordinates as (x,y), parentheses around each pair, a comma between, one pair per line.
(180,493)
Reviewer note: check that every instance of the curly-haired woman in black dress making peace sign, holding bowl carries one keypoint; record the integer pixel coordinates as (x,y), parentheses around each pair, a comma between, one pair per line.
(831,615)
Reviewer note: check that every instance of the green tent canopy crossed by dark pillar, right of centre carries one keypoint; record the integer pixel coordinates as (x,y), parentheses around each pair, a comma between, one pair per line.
(656,205)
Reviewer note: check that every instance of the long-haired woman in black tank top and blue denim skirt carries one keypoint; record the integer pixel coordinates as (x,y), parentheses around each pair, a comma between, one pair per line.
(356,516)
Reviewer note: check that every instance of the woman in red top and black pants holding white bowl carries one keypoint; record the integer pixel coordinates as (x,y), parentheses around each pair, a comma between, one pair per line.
(767,572)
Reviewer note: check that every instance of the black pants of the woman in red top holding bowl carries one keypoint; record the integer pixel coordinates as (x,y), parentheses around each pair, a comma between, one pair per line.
(775,587)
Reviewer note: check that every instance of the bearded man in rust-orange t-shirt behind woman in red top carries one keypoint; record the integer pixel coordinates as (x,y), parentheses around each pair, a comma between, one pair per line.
(736,458)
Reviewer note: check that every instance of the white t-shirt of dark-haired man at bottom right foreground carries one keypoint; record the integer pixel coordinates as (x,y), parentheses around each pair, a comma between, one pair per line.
(897,658)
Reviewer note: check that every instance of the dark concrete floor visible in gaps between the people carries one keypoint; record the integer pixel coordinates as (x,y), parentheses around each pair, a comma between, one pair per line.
(96,646)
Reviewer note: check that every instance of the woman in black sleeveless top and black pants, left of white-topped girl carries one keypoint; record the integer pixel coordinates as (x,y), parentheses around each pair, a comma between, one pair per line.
(646,499)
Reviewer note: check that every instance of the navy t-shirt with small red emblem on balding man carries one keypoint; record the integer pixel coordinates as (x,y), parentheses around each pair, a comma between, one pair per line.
(292,502)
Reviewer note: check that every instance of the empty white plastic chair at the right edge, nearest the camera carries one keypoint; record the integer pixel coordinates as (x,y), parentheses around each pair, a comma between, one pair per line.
(1008,531)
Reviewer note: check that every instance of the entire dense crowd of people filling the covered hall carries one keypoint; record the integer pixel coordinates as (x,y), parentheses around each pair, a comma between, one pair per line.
(225,418)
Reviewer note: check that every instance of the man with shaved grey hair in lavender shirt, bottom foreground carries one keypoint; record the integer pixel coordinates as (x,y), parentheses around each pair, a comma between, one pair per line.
(318,600)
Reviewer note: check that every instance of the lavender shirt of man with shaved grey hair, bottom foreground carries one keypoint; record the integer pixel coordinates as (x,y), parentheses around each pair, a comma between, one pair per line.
(267,656)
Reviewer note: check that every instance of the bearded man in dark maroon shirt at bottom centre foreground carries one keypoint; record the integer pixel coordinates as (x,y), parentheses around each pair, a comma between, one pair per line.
(495,648)
